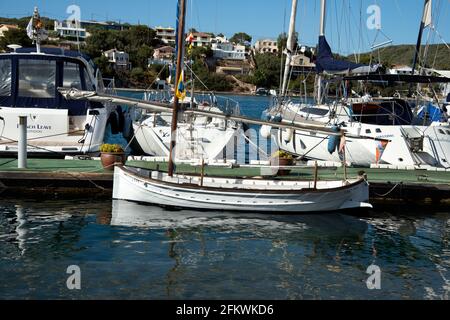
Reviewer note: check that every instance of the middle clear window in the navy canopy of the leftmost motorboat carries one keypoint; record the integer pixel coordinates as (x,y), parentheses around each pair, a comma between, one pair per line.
(37,78)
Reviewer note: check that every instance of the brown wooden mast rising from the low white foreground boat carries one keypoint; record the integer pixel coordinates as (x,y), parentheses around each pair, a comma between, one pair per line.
(180,61)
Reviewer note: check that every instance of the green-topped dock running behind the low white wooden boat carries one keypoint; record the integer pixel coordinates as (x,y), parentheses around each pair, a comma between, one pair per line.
(87,178)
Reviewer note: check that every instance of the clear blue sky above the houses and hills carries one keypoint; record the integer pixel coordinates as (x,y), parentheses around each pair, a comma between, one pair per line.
(261,18)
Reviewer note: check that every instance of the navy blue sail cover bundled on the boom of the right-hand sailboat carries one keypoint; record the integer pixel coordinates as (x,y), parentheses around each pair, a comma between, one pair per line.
(327,64)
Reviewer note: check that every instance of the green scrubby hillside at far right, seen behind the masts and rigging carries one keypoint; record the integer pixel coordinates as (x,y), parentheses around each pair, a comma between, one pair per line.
(438,56)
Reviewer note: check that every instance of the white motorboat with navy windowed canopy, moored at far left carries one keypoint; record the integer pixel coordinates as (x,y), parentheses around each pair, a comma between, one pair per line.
(29,82)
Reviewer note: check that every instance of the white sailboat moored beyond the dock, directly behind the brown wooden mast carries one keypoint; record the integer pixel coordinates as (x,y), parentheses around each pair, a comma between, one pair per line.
(199,137)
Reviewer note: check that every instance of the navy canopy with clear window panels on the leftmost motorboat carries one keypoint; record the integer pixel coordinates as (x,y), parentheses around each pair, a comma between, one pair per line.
(30,80)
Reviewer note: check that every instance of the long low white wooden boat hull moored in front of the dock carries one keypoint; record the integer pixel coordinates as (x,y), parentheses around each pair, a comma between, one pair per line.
(231,194)
